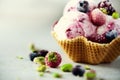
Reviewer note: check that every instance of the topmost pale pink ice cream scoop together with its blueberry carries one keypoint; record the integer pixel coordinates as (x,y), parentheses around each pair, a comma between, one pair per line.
(79,5)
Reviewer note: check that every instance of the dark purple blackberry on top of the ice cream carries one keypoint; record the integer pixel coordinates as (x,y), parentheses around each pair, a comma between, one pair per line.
(106,5)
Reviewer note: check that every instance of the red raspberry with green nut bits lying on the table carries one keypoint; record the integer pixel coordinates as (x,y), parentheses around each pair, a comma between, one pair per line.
(53,59)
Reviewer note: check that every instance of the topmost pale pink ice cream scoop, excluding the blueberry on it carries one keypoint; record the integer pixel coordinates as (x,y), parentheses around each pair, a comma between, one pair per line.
(73,4)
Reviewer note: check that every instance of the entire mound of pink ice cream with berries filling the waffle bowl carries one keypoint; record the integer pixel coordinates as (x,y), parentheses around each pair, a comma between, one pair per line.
(98,22)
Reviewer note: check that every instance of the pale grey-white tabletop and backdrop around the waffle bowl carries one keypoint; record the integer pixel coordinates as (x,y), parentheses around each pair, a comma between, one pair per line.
(28,21)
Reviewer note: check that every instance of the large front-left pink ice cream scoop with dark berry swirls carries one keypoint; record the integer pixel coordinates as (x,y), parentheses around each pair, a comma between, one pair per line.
(74,24)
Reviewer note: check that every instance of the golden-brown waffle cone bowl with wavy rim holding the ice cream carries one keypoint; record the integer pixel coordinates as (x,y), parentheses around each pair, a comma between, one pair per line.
(81,50)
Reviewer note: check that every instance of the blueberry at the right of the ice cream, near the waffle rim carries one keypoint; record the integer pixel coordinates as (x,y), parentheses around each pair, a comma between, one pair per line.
(110,35)
